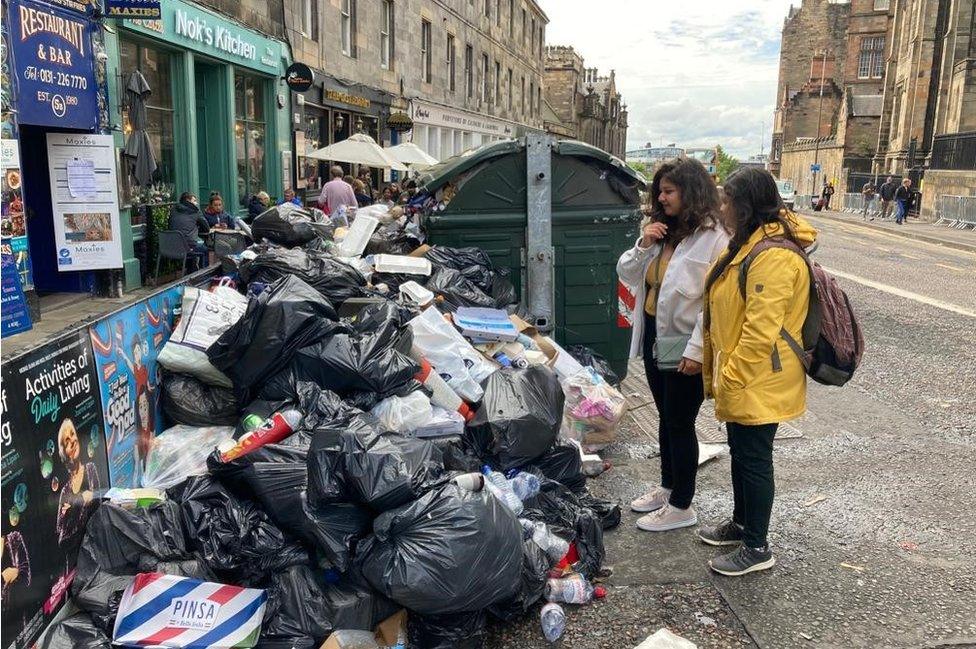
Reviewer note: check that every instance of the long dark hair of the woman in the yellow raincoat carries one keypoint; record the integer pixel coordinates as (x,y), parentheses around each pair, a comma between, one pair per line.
(753,199)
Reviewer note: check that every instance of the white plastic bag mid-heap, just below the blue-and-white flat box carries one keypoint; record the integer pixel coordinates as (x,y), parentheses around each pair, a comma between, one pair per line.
(458,363)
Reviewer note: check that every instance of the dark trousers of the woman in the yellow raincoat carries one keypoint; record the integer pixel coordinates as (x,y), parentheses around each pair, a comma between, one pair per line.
(752,479)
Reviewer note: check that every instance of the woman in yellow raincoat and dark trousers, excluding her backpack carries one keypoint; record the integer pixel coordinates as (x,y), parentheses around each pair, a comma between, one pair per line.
(754,389)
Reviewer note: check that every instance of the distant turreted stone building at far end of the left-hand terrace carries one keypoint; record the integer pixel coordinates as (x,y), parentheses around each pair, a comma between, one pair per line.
(582,104)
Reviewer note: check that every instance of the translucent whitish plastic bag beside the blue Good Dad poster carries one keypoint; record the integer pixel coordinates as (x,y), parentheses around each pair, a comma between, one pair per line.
(181,451)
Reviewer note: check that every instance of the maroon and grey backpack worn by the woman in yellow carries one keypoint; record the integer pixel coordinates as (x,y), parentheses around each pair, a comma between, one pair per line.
(832,343)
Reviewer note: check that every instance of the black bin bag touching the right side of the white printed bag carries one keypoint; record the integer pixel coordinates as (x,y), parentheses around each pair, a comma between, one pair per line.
(275,325)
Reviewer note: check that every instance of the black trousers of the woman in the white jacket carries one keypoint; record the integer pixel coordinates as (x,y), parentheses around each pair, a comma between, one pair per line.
(678,398)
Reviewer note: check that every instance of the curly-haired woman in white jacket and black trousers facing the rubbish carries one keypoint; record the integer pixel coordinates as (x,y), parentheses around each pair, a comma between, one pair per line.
(666,269)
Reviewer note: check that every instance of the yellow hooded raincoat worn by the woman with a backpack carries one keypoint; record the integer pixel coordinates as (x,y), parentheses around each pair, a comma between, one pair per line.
(738,368)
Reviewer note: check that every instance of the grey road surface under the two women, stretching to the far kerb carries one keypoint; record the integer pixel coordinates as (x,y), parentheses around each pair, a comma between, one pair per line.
(873,522)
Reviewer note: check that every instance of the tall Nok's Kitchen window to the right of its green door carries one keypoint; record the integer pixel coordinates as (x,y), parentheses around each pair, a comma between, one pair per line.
(250,135)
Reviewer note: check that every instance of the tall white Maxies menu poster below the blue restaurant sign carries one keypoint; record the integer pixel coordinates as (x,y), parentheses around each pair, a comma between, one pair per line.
(84,196)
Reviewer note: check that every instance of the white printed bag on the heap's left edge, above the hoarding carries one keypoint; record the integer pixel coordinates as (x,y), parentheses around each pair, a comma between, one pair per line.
(206,315)
